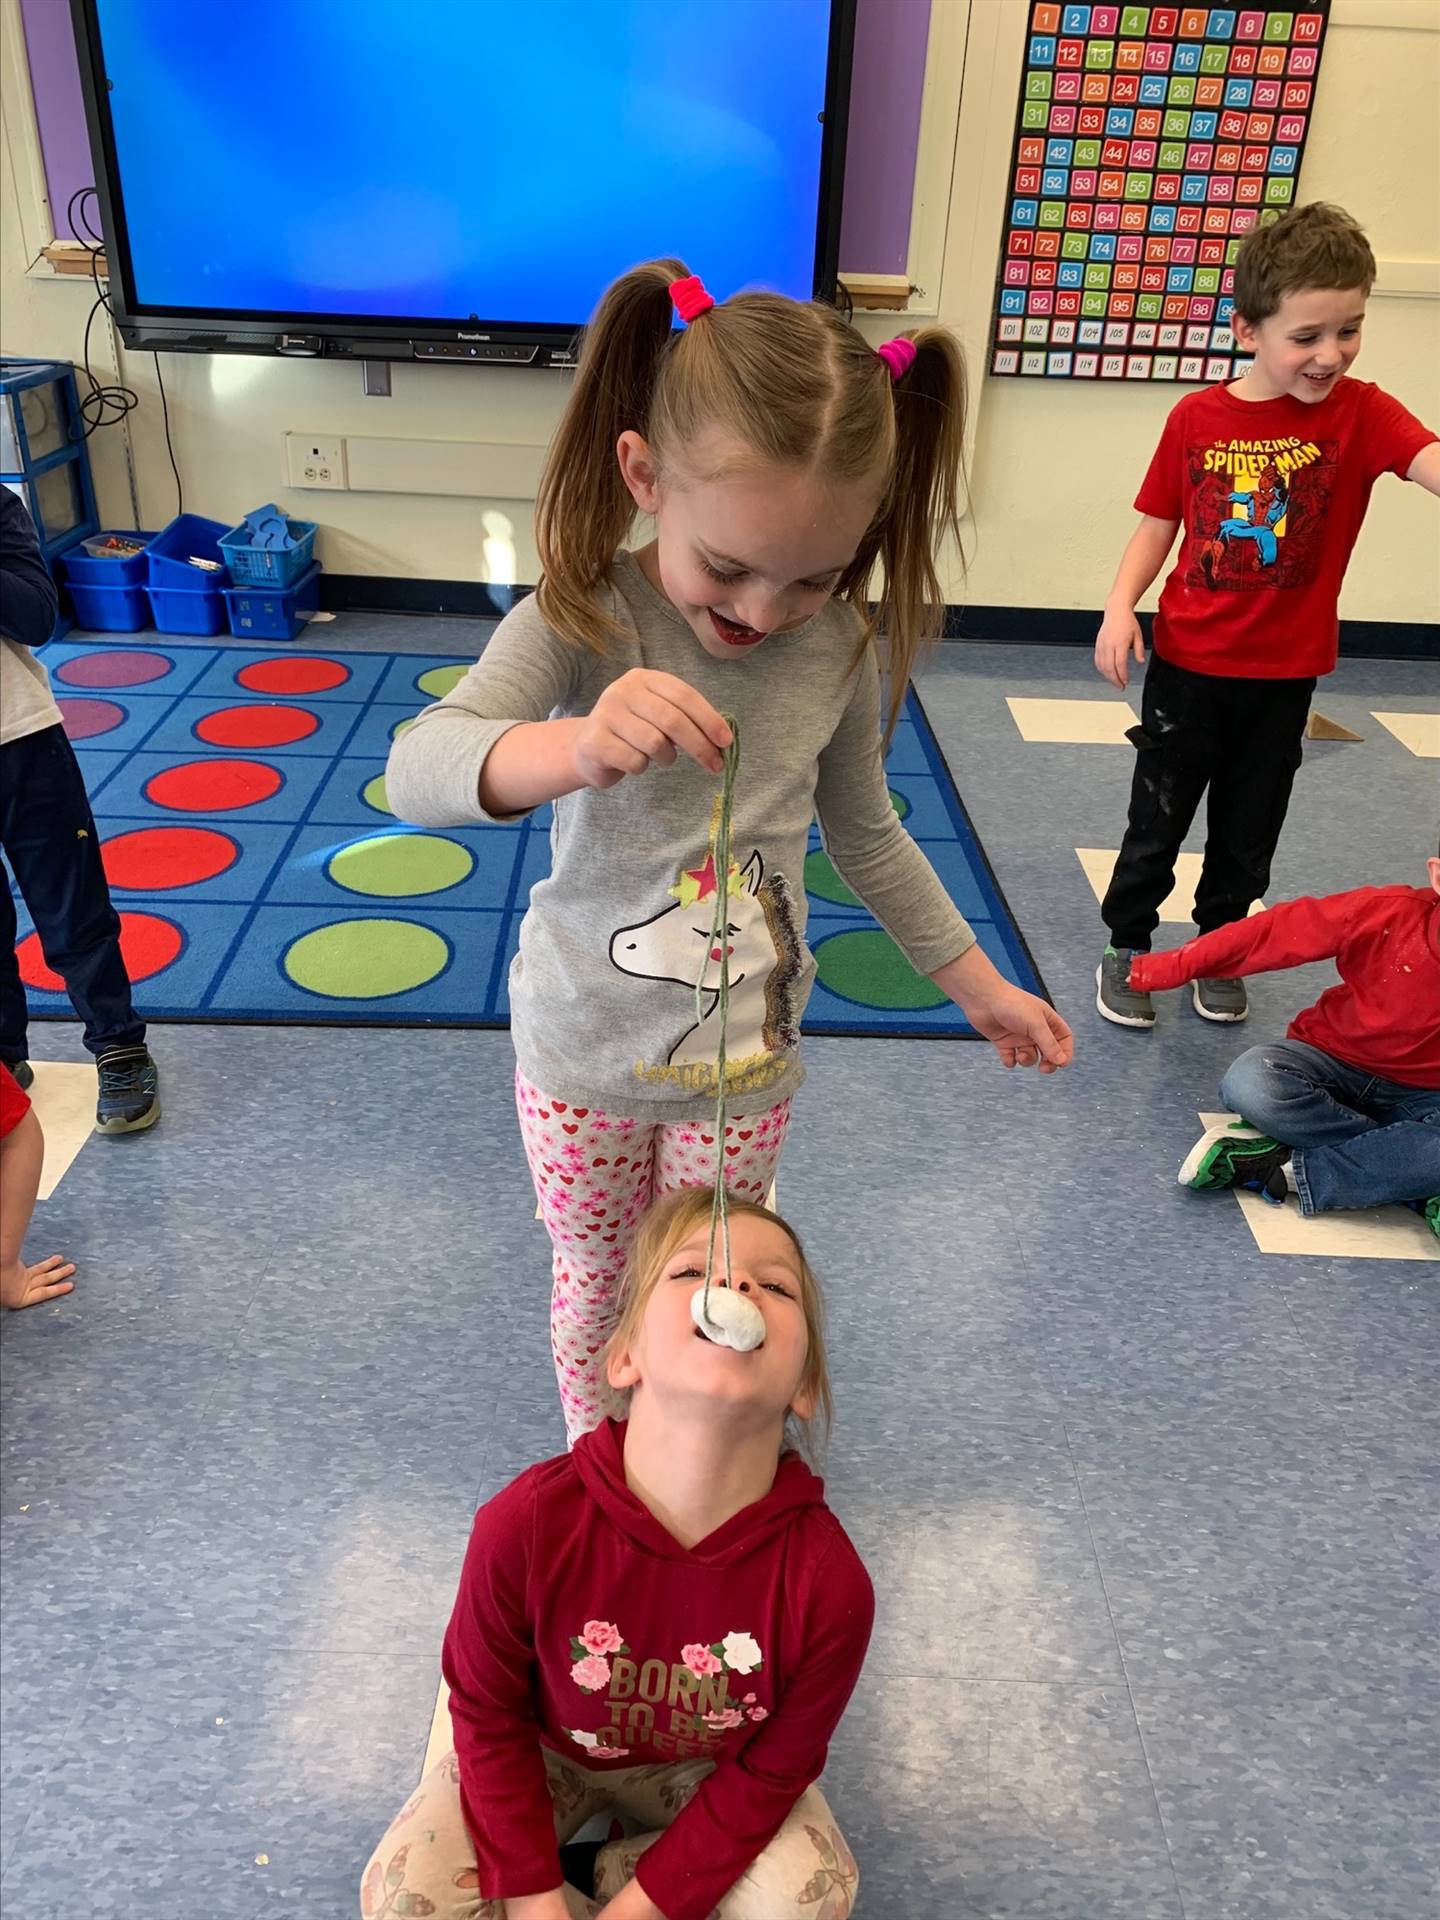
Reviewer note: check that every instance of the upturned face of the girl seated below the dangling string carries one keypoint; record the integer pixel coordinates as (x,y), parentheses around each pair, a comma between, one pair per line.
(671,1356)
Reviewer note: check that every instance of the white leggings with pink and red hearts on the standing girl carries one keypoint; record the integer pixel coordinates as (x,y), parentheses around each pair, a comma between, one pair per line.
(596,1176)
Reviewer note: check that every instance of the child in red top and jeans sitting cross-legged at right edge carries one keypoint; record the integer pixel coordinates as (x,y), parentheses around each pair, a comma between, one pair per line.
(1345,1113)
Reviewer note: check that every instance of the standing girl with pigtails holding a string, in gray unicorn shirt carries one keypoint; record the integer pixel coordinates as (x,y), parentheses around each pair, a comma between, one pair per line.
(782,462)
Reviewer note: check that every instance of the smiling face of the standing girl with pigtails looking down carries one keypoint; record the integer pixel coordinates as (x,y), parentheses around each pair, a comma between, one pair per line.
(744,550)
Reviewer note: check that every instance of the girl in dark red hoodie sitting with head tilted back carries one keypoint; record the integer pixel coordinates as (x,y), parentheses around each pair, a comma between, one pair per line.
(665,1623)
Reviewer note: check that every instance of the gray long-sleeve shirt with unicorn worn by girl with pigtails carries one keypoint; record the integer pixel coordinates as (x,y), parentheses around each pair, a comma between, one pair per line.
(604,1001)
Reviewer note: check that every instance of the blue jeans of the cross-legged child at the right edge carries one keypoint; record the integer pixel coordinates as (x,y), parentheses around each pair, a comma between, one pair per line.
(1358,1140)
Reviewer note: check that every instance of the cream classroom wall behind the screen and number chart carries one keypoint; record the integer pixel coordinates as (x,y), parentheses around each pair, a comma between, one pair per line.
(1053,468)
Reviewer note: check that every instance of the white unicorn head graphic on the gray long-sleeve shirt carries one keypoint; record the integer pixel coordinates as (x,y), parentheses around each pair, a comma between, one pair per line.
(761,948)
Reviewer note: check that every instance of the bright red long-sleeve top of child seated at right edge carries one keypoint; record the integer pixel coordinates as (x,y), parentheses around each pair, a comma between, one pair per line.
(1385,942)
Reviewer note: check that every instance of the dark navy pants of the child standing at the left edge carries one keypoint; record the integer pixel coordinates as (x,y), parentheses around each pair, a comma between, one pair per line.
(51,846)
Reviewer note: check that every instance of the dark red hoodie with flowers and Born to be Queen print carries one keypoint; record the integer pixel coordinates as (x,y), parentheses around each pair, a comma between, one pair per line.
(581,1625)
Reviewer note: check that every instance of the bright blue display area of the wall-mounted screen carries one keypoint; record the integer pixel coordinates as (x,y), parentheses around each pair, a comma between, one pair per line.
(462,158)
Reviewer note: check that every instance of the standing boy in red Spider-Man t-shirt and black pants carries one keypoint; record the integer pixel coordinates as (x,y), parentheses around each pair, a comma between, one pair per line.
(1268,479)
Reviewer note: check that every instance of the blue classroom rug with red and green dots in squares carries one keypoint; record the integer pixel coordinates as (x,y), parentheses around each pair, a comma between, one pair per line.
(260,875)
